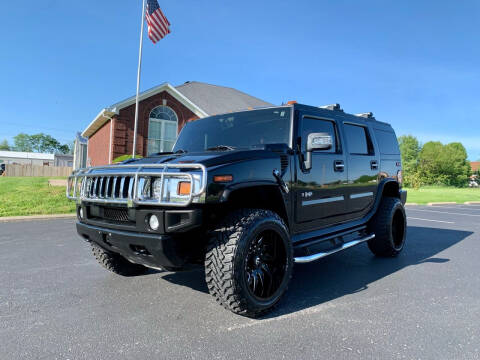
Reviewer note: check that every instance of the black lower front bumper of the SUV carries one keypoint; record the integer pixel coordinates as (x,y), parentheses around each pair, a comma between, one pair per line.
(152,250)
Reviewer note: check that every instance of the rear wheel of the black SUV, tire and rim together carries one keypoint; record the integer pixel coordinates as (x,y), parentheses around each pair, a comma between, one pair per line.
(390,228)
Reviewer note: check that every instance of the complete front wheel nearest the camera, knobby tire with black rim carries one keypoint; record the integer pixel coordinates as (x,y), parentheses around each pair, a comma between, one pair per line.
(249,261)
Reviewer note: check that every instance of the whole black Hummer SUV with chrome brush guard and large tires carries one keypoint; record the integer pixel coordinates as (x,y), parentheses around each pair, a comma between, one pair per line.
(246,195)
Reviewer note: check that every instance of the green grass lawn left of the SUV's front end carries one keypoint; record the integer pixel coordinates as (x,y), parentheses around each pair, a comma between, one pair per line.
(32,196)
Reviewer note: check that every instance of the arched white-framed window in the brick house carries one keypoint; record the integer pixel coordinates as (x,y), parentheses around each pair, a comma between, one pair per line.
(162,130)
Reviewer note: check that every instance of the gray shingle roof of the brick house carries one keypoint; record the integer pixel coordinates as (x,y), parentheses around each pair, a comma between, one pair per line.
(214,99)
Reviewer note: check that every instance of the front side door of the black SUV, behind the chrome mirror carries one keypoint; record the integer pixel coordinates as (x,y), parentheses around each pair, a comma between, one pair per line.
(319,192)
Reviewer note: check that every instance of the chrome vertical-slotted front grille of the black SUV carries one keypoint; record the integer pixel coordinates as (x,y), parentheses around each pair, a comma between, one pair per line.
(109,187)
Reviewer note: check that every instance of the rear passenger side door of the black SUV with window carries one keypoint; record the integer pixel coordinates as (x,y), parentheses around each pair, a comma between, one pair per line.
(363,169)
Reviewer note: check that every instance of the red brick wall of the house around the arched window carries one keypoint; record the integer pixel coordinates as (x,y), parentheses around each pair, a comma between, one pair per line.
(98,143)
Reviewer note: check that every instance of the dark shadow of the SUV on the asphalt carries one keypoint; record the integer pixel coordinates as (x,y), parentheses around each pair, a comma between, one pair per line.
(346,272)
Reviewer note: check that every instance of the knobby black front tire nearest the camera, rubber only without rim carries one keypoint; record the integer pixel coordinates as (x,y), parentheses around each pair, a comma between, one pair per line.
(226,258)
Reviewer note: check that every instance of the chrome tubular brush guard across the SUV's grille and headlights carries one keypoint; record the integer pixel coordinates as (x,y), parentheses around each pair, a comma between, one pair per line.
(125,184)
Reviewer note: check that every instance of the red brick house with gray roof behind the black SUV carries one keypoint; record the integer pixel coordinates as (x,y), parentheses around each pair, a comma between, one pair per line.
(163,111)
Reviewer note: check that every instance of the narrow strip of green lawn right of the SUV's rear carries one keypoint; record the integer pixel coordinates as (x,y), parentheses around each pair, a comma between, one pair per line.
(442,194)
